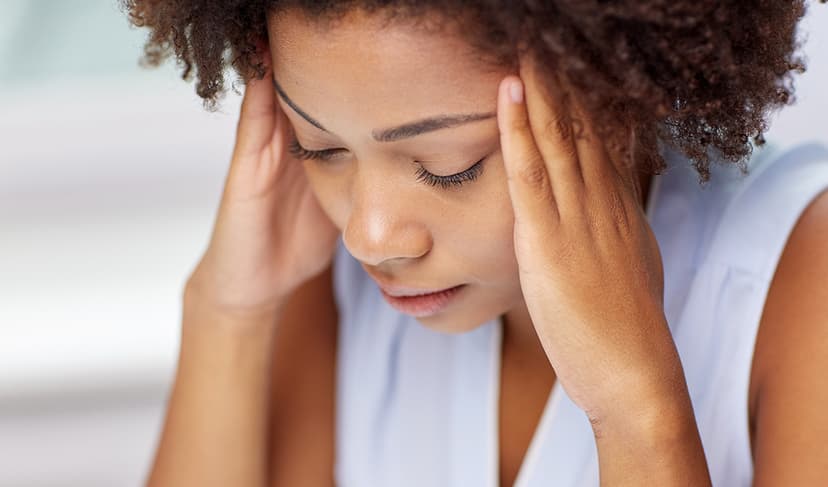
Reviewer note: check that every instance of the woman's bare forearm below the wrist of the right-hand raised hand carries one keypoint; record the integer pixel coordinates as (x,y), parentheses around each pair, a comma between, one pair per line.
(651,445)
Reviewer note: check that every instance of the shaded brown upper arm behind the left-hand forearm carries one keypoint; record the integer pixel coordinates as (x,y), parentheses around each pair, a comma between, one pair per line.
(302,389)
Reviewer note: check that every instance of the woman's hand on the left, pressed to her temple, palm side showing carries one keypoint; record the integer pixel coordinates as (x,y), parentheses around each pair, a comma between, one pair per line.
(270,235)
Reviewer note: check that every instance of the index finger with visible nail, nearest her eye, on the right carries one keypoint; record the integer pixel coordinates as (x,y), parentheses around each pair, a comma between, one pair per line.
(529,183)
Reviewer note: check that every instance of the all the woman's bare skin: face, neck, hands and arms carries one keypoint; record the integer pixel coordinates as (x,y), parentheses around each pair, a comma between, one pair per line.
(265,275)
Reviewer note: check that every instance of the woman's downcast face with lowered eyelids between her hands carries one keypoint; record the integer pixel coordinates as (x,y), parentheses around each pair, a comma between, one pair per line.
(422,207)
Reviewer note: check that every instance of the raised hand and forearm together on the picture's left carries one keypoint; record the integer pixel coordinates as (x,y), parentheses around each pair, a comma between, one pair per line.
(270,238)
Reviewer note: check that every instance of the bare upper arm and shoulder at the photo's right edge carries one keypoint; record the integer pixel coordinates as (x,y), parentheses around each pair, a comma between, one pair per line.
(788,387)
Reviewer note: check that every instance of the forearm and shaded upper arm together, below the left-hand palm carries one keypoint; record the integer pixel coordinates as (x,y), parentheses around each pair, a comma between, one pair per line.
(252,403)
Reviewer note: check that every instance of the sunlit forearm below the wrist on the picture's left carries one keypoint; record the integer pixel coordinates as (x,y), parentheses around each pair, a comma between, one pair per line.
(215,433)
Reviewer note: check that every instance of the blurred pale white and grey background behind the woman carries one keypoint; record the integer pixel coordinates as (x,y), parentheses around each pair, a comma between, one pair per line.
(110,175)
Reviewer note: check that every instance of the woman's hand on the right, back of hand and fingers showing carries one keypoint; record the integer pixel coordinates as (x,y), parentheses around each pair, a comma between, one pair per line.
(590,267)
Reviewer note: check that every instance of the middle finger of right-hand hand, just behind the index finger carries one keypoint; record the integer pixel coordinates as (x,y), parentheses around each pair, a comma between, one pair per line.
(554,133)
